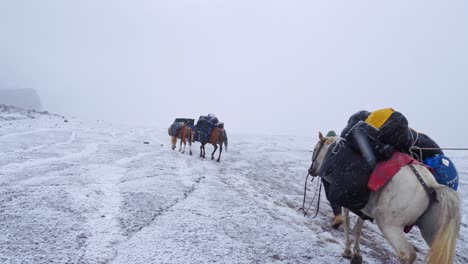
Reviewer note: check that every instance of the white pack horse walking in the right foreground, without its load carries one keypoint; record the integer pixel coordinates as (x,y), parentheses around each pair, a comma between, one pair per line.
(402,202)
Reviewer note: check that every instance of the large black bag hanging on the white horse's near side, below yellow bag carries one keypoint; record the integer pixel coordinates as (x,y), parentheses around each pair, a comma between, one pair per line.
(346,169)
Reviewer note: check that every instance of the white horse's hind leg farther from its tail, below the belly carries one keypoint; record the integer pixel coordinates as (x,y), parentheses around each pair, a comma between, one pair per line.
(396,237)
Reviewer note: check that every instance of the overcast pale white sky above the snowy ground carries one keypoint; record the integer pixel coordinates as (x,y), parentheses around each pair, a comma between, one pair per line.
(262,66)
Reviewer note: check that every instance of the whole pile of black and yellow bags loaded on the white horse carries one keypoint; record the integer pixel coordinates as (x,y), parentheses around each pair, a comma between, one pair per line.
(367,139)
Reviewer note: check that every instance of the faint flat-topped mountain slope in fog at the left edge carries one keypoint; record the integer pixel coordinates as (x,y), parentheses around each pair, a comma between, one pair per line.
(22,98)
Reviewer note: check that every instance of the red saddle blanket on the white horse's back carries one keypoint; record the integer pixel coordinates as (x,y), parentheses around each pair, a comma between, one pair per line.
(385,170)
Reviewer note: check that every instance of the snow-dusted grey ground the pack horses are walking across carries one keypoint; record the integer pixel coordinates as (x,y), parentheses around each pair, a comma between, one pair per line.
(93,193)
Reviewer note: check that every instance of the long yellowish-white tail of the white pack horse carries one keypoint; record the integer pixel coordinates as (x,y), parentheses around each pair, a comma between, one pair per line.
(443,247)
